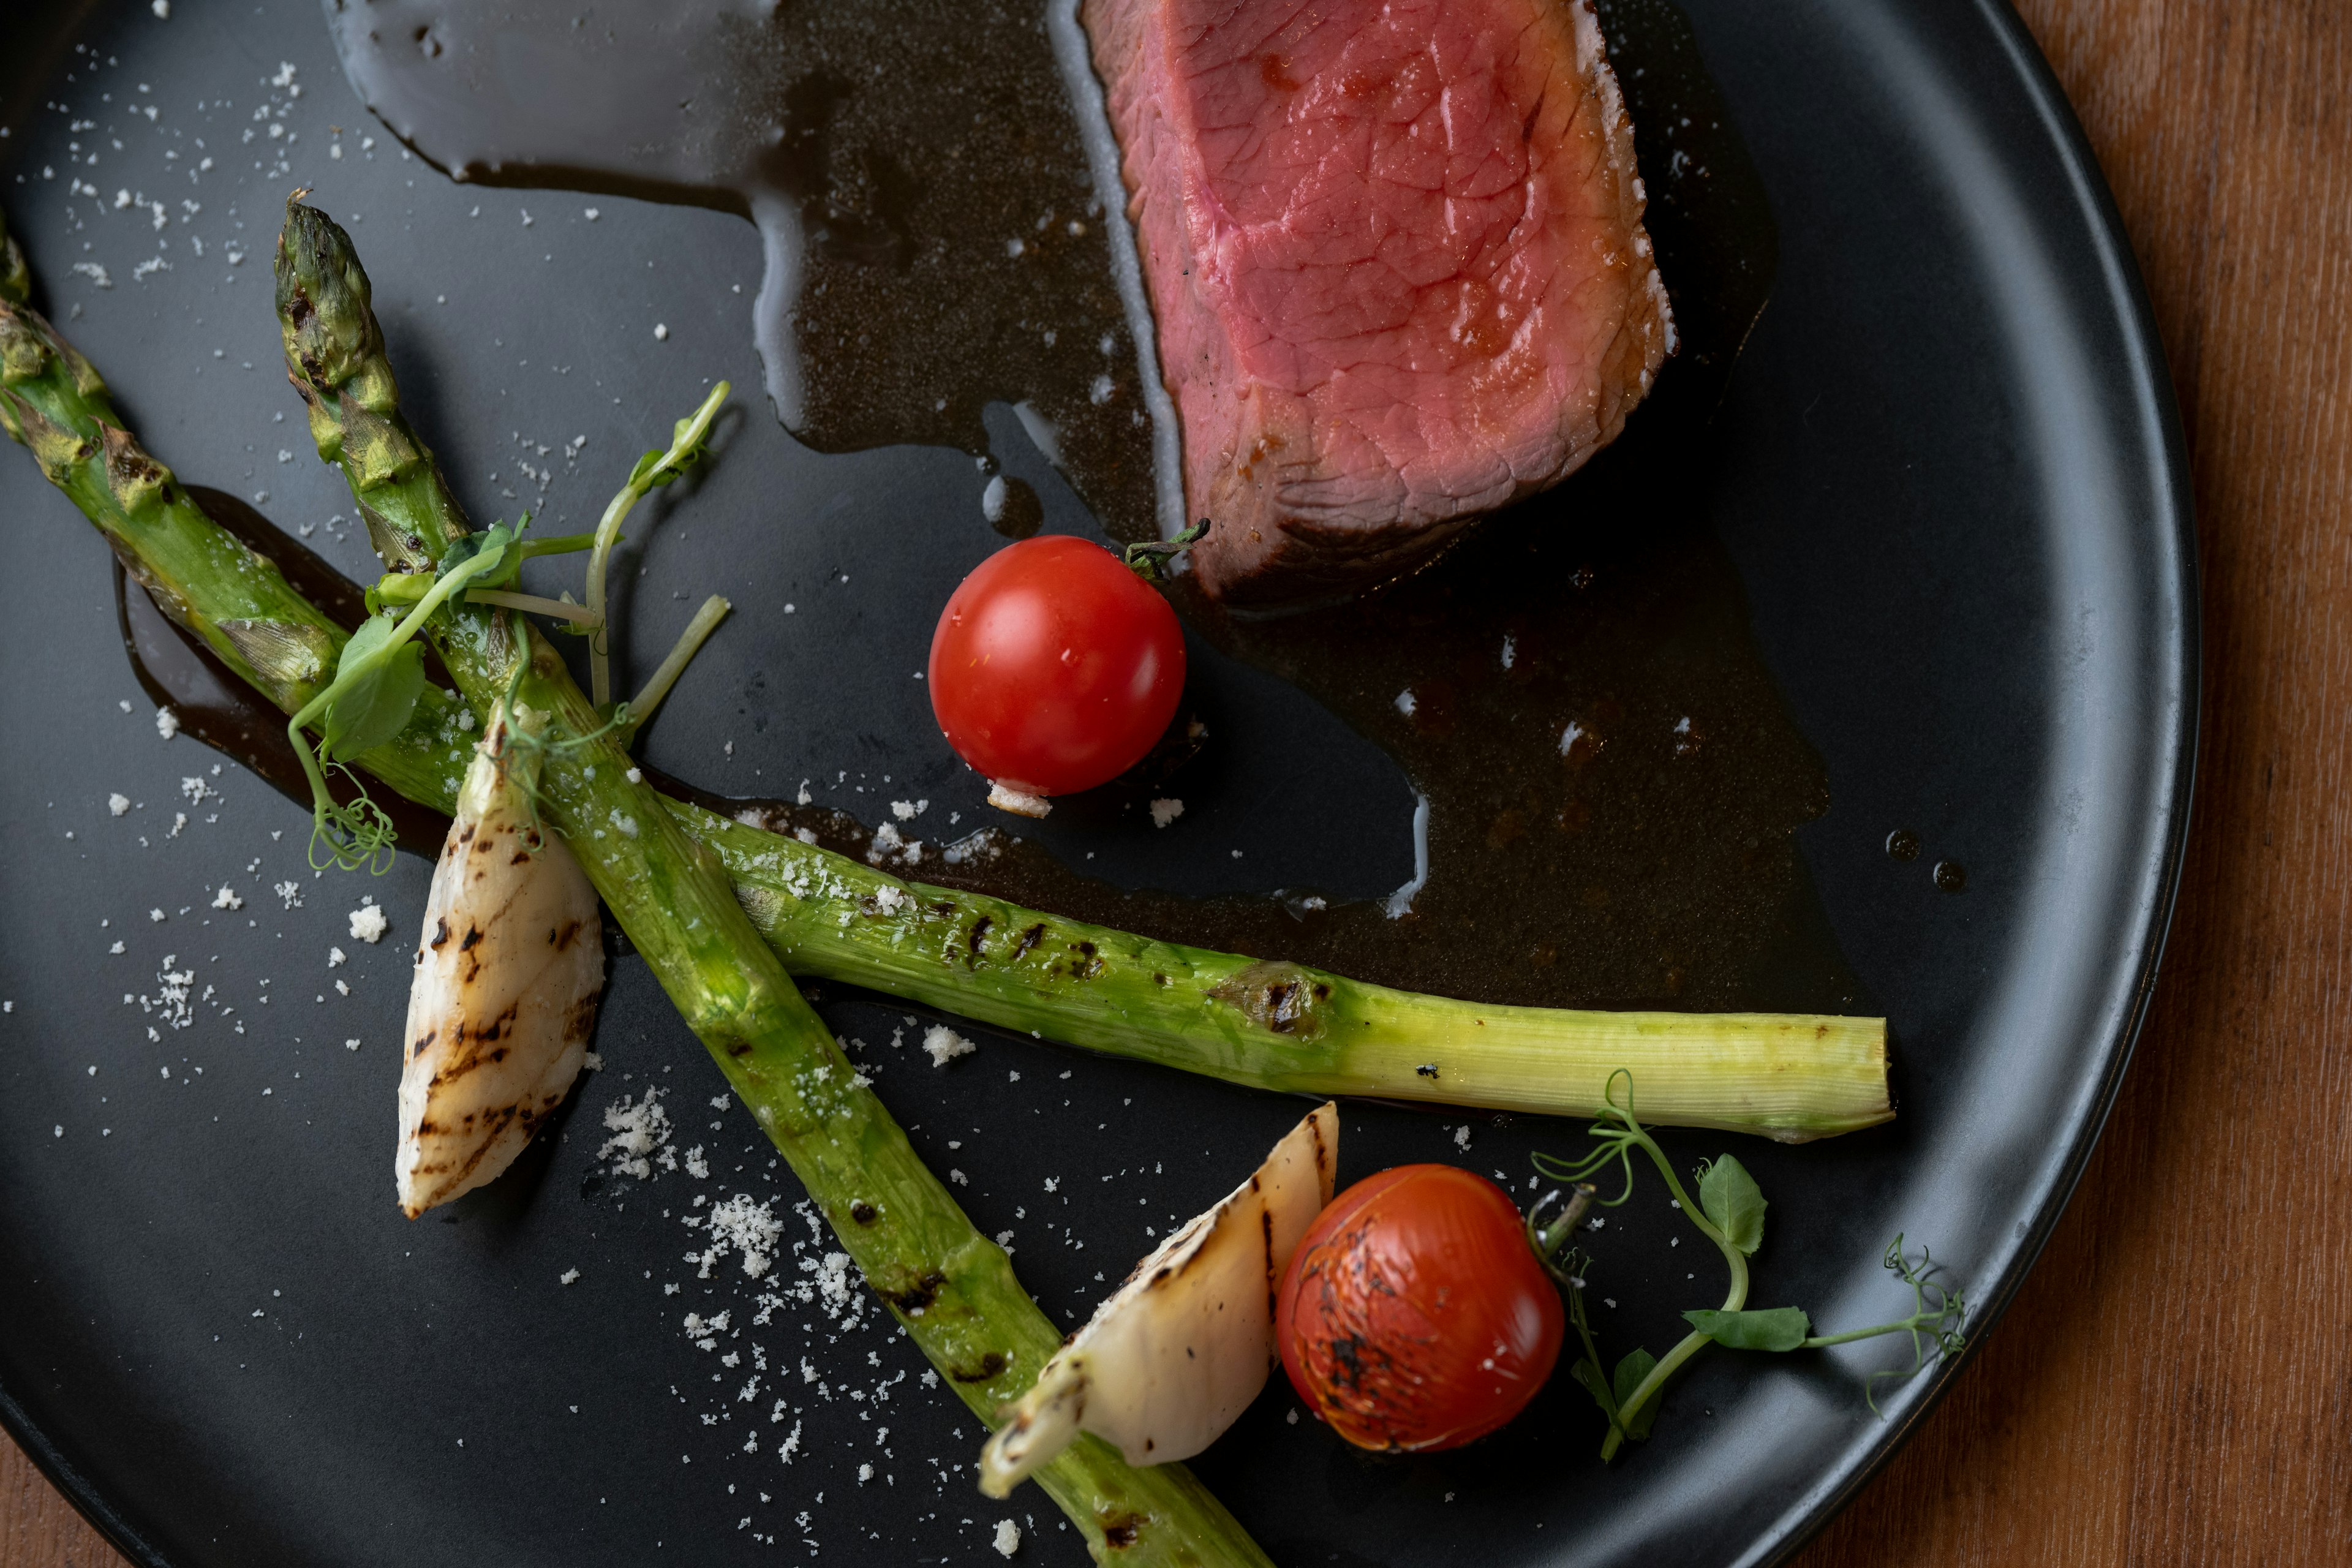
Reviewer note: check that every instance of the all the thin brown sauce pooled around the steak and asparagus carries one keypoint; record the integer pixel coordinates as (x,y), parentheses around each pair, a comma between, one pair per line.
(1612,805)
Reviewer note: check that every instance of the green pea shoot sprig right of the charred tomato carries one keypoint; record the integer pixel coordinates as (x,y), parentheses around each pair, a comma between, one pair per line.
(1730,1214)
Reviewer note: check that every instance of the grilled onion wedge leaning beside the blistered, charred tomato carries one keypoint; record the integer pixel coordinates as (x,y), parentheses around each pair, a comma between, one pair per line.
(1187,1343)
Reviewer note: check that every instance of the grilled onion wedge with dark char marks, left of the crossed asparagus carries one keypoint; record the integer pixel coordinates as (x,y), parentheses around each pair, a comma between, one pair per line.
(507,981)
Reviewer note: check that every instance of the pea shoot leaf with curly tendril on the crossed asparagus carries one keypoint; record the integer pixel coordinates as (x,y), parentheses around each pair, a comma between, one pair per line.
(370,699)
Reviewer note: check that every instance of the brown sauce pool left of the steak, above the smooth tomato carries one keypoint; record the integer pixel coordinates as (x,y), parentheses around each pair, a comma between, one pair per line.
(933,229)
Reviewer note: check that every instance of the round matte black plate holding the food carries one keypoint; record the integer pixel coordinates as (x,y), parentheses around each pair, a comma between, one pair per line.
(1951,483)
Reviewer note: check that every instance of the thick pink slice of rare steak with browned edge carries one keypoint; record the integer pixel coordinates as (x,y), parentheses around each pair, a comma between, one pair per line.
(1396,257)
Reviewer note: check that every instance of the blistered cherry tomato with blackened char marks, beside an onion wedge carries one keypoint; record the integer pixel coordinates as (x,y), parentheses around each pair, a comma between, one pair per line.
(1415,1313)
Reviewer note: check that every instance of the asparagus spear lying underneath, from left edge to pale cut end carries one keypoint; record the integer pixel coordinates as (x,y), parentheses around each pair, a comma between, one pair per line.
(1269,1026)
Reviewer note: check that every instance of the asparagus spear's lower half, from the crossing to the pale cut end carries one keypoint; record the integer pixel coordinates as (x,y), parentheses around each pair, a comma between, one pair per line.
(1288,1026)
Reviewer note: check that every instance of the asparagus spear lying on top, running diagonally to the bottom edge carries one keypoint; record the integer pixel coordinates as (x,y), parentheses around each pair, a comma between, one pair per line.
(951,1289)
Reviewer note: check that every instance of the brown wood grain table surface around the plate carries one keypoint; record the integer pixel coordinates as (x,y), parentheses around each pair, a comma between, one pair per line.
(2174,1386)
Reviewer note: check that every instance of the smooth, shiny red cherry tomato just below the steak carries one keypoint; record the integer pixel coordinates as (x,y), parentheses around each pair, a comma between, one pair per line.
(1055,666)
